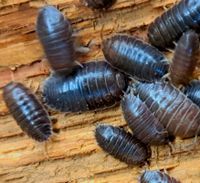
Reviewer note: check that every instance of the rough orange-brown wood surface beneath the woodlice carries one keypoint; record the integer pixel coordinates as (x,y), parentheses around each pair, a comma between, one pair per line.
(72,155)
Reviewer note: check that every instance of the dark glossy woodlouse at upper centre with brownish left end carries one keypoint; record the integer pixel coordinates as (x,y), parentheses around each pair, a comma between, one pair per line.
(135,58)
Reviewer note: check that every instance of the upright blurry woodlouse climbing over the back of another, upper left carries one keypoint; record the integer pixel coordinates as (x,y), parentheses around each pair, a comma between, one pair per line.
(55,35)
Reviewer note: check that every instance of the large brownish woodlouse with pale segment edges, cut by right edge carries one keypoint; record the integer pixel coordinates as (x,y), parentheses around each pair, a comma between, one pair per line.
(178,114)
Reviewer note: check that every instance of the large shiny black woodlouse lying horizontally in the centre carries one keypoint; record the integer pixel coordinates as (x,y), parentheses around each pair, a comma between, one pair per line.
(95,86)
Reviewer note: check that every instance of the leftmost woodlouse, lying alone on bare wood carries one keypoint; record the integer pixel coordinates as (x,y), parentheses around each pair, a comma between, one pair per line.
(27,111)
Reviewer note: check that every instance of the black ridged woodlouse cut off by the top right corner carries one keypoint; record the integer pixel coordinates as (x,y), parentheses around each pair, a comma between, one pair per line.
(172,23)
